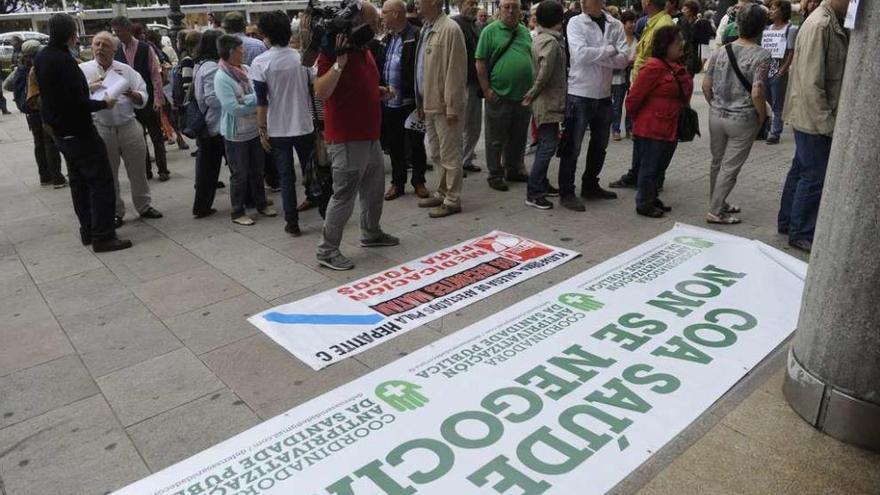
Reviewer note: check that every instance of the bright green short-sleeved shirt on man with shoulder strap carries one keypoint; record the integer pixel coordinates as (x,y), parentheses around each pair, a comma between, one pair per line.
(512,74)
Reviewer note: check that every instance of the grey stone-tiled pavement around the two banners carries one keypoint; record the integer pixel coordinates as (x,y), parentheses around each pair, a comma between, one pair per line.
(116,365)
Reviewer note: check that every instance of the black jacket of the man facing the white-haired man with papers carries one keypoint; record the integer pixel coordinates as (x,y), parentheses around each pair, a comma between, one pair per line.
(64,93)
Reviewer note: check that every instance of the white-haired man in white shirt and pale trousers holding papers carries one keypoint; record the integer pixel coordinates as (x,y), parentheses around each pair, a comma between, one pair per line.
(119,129)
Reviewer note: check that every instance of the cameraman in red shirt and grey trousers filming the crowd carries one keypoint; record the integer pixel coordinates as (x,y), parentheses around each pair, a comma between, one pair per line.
(348,82)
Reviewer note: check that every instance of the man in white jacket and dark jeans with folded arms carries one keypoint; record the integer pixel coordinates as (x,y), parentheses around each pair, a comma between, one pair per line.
(597,46)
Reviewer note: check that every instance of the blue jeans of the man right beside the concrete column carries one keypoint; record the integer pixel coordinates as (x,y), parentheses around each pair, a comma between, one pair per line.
(802,191)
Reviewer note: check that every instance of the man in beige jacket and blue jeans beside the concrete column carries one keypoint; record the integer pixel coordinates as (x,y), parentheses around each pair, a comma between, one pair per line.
(814,85)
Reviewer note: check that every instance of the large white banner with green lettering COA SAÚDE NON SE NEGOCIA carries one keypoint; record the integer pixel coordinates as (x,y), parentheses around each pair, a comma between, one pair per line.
(566,392)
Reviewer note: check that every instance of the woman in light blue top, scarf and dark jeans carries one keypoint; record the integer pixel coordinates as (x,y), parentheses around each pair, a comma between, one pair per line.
(238,126)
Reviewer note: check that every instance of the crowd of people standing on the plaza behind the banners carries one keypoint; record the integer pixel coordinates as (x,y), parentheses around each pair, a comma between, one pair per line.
(423,86)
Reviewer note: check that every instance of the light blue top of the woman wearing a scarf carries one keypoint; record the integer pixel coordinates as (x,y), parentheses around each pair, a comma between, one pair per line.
(238,110)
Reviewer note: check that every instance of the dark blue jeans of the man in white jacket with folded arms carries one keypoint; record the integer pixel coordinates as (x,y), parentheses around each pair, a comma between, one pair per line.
(581,113)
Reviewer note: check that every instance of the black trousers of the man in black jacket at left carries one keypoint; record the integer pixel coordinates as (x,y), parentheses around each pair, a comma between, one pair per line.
(91,183)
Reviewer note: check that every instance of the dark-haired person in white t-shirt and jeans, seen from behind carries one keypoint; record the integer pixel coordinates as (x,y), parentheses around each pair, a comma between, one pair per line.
(284,112)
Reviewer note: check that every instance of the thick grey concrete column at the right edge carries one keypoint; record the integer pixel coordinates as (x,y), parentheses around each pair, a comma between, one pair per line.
(833,378)
